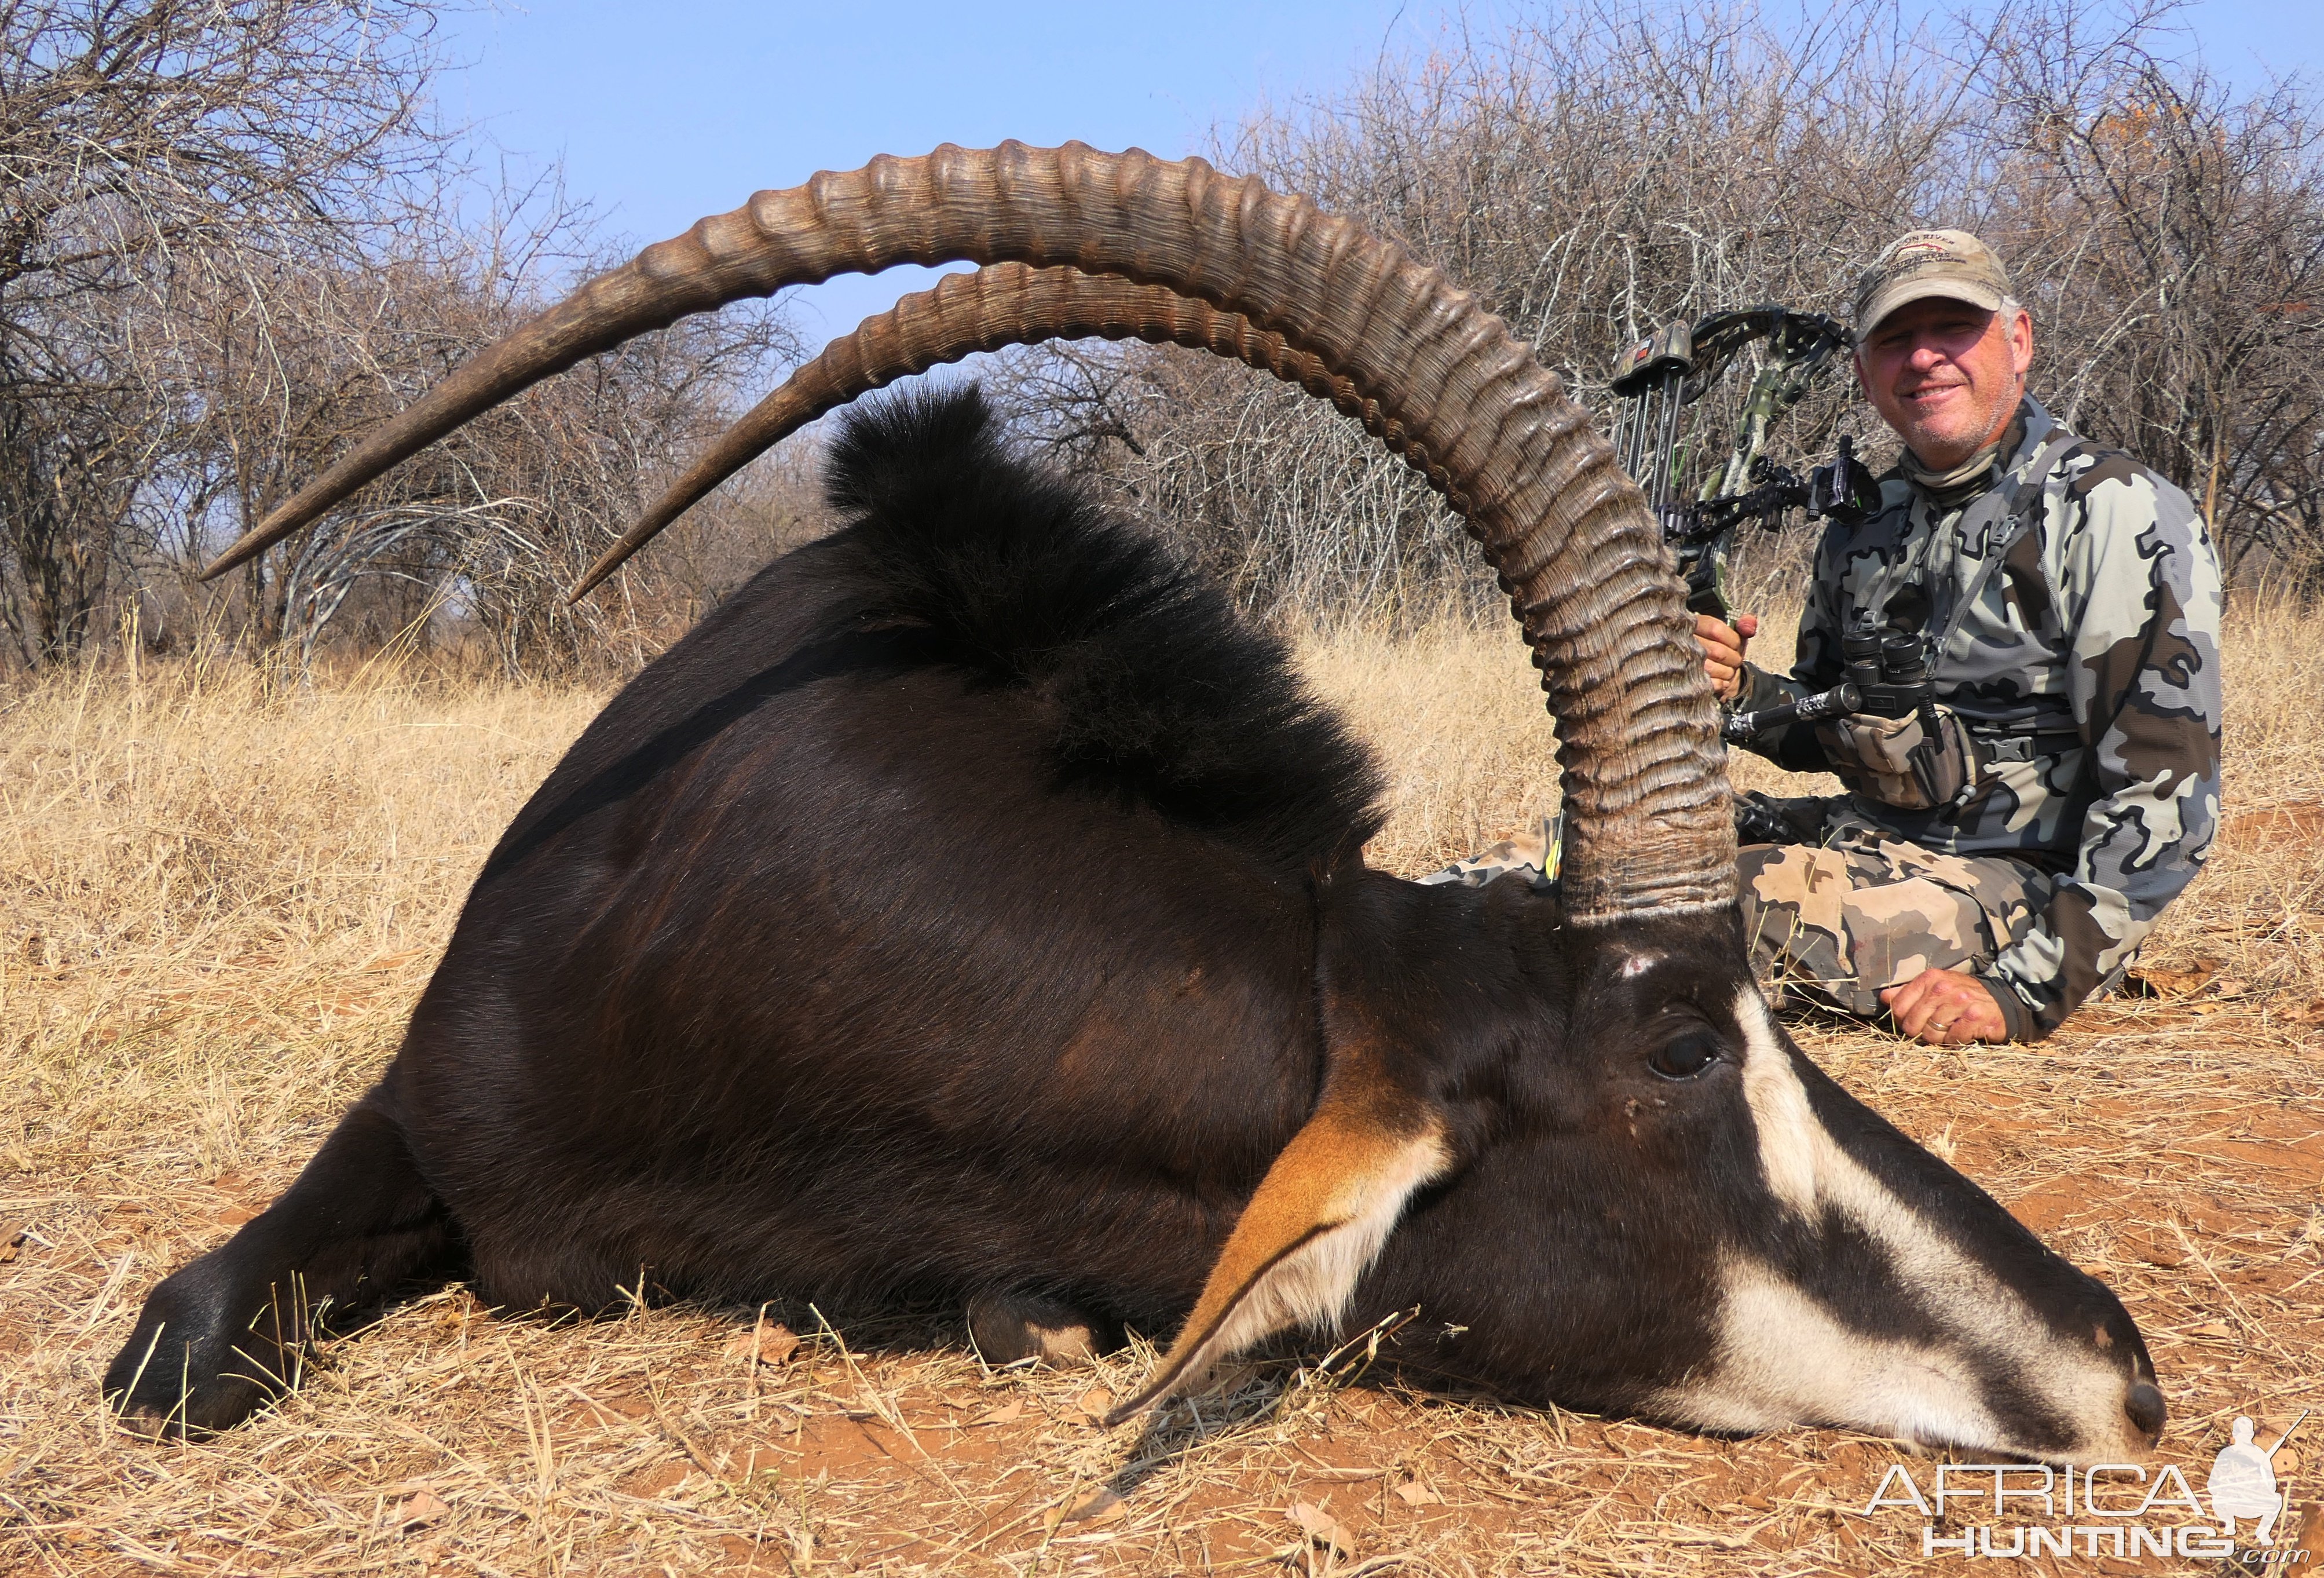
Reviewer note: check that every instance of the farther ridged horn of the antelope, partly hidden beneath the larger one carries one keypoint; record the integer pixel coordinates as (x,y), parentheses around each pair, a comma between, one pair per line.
(1005,306)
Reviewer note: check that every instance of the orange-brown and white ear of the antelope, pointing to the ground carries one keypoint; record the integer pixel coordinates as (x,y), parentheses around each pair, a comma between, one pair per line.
(1321,1214)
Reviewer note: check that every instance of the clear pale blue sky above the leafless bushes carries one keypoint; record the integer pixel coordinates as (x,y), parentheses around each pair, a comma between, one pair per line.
(666,110)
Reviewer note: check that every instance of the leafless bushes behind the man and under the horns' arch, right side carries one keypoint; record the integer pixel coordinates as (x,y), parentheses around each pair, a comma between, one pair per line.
(1607,166)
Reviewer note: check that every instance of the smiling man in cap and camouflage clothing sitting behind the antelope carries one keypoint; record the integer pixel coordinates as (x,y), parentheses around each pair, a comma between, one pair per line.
(2002,854)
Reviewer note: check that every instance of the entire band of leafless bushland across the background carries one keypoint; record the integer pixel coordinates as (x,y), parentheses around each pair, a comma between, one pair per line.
(238,234)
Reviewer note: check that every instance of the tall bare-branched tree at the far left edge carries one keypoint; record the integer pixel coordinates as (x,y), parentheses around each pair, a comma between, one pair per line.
(138,143)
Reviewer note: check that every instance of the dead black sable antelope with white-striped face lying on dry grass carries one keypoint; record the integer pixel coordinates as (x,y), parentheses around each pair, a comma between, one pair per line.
(975,908)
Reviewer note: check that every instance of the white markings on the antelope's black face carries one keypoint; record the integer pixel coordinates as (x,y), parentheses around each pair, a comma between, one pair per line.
(1784,1356)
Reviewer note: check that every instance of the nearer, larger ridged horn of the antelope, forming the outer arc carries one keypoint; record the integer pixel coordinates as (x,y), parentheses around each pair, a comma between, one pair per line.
(1649,824)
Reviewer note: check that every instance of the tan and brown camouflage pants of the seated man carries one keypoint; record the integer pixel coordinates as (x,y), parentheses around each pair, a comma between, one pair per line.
(1844,919)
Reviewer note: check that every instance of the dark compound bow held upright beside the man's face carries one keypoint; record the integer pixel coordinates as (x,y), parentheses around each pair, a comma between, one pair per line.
(1667,373)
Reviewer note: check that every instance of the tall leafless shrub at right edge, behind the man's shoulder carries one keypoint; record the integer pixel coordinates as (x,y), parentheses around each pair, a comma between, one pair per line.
(2172,236)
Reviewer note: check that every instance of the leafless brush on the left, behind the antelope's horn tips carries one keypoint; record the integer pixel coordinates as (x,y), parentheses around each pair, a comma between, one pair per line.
(234,241)
